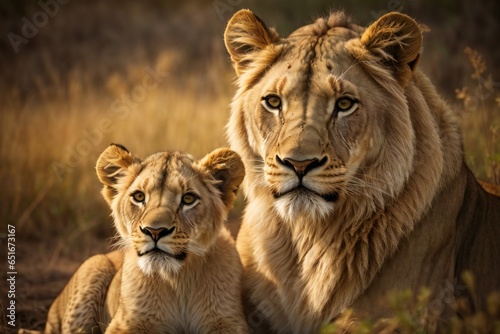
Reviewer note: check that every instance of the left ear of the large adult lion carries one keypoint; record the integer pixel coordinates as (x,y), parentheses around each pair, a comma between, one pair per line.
(245,35)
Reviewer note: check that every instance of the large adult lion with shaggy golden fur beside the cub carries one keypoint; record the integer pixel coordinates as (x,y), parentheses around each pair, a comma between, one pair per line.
(355,177)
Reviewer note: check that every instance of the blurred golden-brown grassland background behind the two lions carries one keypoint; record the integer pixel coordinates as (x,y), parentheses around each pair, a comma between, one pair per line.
(155,75)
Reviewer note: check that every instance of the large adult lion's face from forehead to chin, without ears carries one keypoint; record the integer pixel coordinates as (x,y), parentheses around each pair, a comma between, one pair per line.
(312,127)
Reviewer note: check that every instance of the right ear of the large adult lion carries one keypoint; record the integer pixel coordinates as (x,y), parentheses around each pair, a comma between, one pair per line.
(396,39)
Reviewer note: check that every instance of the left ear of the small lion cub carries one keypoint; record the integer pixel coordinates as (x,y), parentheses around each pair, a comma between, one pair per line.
(112,164)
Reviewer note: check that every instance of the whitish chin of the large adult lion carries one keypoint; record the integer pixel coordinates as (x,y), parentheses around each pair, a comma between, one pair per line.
(304,204)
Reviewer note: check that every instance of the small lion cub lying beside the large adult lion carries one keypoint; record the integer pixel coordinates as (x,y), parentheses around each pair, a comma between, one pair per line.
(178,270)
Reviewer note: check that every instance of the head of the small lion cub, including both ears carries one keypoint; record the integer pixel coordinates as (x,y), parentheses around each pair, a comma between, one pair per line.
(168,206)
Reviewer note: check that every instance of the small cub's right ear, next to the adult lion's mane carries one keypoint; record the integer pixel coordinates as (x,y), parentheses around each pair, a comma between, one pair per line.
(226,167)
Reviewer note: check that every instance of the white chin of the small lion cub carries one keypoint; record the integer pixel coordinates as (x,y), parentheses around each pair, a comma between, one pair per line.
(162,264)
